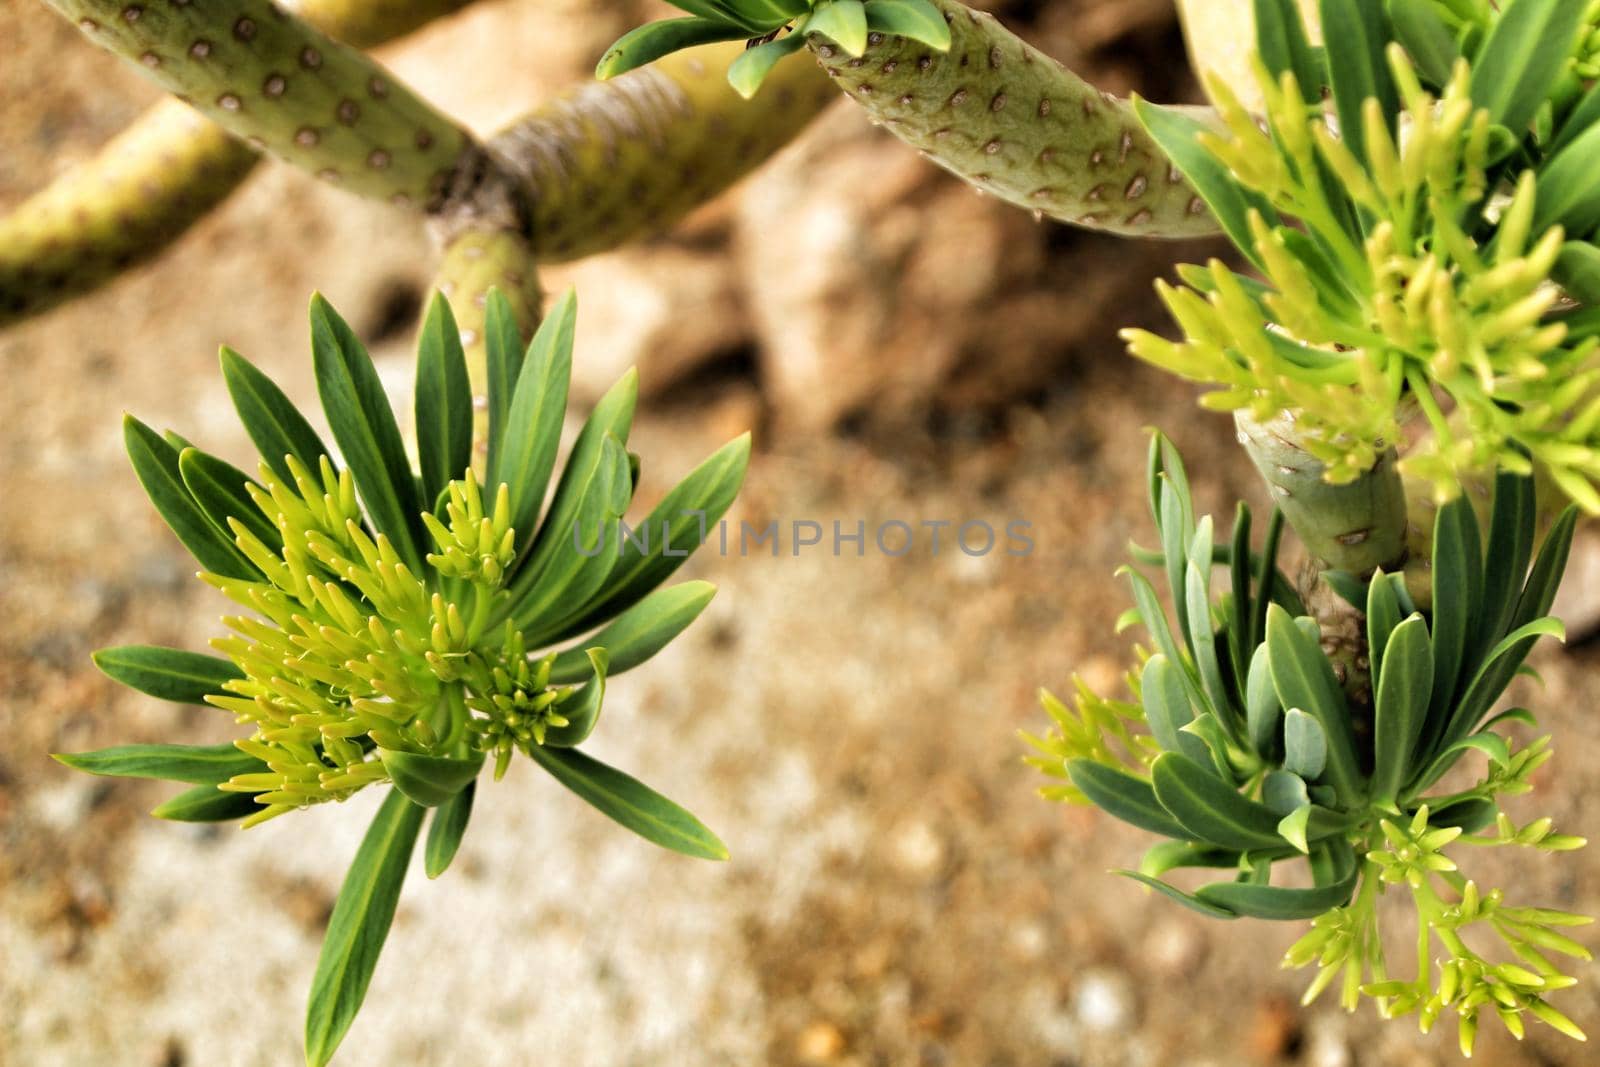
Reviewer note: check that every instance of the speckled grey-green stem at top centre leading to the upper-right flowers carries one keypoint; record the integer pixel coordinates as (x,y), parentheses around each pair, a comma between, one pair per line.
(1017,124)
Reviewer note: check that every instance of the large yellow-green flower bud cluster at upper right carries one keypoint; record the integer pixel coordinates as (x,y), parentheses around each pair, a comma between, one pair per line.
(1398,310)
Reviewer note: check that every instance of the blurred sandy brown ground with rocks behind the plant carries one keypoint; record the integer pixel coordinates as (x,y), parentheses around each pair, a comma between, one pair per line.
(903,350)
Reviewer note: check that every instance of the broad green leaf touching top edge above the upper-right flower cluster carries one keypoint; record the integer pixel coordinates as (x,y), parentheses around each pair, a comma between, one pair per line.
(1522,58)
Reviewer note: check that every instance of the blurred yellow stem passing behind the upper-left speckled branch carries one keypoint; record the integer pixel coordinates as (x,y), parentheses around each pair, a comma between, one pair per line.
(148,186)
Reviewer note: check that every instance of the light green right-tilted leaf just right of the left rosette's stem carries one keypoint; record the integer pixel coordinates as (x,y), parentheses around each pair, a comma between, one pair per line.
(534,430)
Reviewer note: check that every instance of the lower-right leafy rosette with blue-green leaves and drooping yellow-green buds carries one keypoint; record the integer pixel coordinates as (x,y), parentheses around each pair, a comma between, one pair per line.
(1254,757)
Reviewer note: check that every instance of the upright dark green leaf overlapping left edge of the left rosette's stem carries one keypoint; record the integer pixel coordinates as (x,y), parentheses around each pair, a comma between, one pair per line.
(444,401)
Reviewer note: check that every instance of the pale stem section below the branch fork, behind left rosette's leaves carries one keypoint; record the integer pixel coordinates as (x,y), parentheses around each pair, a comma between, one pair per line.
(473,263)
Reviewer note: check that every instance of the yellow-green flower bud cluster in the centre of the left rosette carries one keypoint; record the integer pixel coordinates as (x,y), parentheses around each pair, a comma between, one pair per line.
(348,653)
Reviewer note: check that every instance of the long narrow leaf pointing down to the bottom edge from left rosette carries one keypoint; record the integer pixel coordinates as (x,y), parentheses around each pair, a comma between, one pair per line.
(359,925)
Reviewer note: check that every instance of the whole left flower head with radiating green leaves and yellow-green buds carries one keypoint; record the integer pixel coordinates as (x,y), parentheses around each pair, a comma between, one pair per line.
(406,626)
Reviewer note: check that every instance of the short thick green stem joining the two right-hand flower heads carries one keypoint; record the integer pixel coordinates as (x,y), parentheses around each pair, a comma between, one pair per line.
(1354,527)
